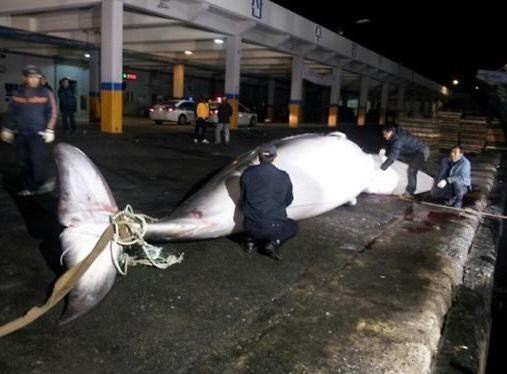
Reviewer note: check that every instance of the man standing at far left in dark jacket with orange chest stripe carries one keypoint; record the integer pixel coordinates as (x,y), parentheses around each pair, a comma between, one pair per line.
(32,116)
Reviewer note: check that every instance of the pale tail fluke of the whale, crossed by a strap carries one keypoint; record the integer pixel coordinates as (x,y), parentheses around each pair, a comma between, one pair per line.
(85,207)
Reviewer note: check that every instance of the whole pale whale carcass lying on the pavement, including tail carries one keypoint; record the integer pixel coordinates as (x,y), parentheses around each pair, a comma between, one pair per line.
(327,170)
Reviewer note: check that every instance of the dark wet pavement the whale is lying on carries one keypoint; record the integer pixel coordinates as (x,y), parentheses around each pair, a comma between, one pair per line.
(360,289)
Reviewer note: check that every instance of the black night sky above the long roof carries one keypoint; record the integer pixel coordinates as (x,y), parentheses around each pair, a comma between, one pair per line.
(440,43)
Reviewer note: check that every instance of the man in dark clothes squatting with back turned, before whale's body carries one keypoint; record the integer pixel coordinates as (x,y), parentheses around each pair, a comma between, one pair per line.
(266,192)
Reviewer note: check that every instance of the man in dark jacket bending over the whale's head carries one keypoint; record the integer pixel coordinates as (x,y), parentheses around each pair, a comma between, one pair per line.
(415,152)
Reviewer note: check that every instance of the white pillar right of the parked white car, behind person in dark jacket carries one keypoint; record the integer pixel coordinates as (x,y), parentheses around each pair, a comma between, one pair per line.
(233,76)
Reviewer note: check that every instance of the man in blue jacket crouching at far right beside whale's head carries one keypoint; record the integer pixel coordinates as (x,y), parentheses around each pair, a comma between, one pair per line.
(453,180)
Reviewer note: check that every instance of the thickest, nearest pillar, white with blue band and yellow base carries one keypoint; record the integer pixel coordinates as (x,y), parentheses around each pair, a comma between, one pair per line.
(111,86)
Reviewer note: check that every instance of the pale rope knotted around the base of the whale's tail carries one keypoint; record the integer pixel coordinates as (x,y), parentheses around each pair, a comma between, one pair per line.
(129,230)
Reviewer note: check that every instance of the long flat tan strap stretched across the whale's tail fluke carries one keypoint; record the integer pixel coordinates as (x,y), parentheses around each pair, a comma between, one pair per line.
(62,286)
